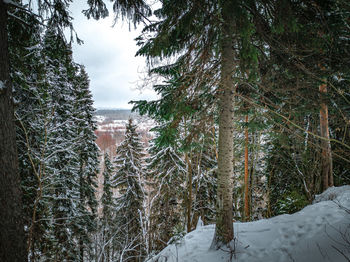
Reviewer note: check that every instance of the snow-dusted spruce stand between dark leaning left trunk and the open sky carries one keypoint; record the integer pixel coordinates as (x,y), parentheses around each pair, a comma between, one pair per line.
(58,156)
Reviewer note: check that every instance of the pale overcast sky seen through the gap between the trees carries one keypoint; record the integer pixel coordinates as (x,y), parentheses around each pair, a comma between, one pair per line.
(108,54)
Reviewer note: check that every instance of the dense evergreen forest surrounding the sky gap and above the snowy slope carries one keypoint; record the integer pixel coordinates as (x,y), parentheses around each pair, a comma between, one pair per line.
(252,121)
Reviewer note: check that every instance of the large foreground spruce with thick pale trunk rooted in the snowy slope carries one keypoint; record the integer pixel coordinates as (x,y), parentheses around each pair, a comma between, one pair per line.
(208,38)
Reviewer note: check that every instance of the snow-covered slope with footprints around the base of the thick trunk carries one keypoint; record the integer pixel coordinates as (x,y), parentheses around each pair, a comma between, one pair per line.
(319,232)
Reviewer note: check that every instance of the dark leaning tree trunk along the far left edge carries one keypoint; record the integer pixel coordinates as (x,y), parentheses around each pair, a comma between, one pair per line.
(12,239)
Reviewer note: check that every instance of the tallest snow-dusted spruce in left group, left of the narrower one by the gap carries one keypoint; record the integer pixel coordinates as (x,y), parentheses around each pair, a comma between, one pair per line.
(65,163)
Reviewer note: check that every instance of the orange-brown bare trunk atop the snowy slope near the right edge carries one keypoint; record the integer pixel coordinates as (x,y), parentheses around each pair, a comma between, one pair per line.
(326,153)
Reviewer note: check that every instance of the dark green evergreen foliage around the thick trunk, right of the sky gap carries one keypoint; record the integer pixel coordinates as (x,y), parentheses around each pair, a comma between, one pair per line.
(278,71)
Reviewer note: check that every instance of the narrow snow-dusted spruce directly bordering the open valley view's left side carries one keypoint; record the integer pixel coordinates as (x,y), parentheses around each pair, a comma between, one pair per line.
(88,153)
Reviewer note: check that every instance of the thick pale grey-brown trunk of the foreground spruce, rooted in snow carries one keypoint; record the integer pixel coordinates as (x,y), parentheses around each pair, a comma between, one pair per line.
(224,227)
